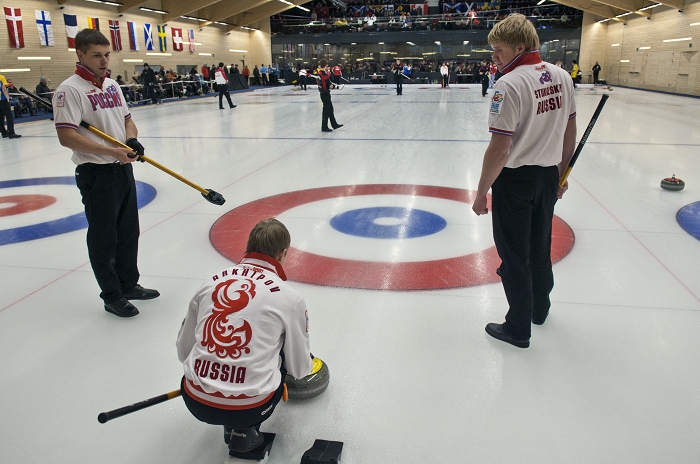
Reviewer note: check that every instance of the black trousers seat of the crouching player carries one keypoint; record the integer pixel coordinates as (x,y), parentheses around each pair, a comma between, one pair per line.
(236,419)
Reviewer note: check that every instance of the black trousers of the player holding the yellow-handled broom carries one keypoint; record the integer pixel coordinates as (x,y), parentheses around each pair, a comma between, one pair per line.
(109,196)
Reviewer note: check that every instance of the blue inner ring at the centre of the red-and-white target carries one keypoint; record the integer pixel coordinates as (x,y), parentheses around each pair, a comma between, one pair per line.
(413,223)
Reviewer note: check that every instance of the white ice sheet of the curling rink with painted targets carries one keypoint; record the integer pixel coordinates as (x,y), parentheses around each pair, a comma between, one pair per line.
(398,294)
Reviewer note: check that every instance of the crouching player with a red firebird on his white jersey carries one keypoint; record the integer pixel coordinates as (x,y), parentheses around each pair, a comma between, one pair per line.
(246,327)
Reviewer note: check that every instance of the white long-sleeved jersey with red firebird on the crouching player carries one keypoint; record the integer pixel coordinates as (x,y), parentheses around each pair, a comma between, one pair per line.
(238,323)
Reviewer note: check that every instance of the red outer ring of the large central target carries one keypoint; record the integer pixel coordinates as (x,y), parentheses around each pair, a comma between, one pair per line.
(229,236)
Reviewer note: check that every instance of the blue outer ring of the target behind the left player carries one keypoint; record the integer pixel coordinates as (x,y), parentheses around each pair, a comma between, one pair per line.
(145,193)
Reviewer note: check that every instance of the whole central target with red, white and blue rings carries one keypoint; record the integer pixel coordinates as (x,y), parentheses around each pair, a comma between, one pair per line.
(381,237)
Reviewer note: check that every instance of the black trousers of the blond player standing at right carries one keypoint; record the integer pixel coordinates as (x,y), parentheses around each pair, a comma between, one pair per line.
(523,202)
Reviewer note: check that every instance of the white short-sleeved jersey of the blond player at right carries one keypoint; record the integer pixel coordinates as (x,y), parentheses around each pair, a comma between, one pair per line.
(530,99)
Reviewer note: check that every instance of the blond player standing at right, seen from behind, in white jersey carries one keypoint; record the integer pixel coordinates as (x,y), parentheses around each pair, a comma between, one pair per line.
(532,121)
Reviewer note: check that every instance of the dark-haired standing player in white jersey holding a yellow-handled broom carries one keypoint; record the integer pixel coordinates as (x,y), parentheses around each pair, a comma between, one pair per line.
(104,173)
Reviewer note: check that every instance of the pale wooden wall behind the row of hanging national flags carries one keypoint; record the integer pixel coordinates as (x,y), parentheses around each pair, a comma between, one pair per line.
(214,40)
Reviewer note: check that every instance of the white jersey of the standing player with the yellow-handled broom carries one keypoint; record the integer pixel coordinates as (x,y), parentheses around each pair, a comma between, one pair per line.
(79,99)
